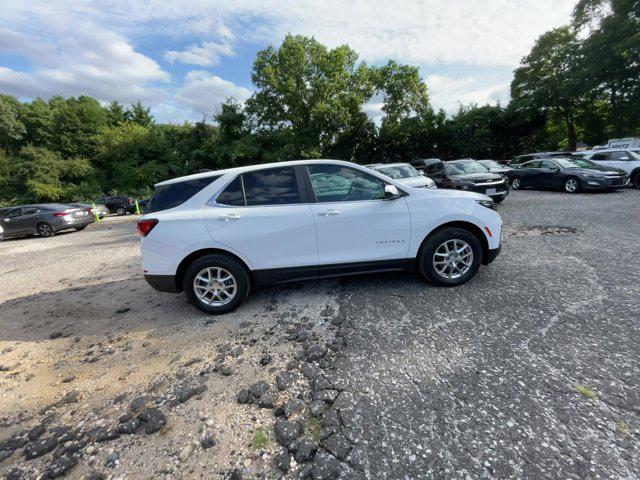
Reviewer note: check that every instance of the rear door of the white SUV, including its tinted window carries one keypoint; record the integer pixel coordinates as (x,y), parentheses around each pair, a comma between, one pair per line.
(264,216)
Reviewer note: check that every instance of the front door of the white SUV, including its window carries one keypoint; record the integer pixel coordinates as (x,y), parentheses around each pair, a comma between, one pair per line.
(353,221)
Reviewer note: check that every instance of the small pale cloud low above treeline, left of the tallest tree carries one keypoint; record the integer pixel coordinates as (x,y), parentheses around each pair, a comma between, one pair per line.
(203,92)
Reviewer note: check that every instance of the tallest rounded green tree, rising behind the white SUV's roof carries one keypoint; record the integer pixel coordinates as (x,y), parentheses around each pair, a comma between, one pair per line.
(313,93)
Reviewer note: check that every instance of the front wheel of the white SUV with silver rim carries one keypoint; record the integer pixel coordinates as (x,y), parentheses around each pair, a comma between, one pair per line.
(450,257)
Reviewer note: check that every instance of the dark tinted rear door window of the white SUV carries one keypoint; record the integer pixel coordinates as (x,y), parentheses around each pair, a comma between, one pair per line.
(273,186)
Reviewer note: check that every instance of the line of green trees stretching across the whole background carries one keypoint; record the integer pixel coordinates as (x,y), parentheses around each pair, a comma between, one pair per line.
(580,82)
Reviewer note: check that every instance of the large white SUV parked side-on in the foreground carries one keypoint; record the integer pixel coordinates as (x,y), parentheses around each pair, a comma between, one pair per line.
(216,234)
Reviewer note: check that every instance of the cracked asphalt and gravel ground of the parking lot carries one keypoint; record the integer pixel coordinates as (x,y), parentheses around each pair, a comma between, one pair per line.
(528,371)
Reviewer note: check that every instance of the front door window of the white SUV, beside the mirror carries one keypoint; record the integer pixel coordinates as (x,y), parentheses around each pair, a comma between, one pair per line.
(333,183)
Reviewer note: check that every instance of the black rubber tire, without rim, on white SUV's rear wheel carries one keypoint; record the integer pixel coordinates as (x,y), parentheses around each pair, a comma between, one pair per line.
(226,262)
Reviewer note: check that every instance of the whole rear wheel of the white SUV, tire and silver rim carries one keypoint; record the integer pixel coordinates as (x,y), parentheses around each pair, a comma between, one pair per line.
(216,283)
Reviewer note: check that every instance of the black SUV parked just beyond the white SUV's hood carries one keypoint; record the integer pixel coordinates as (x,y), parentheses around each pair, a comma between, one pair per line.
(465,175)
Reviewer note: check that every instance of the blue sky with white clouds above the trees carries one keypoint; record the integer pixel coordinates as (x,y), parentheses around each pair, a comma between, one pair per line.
(184,58)
